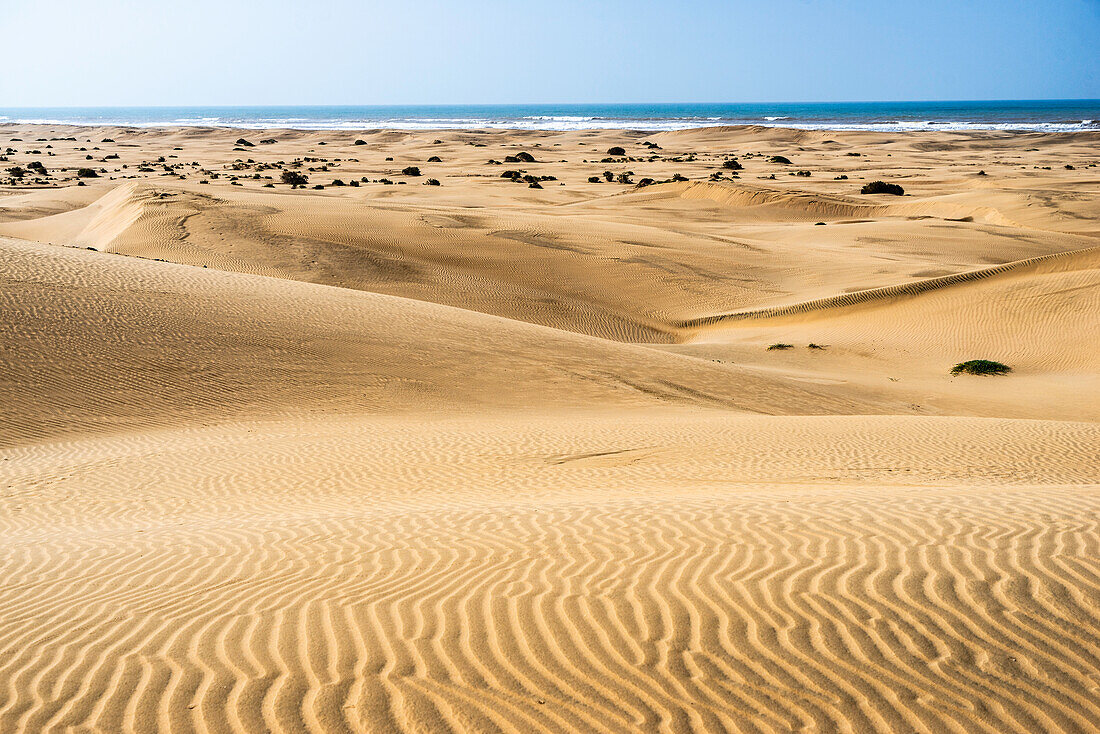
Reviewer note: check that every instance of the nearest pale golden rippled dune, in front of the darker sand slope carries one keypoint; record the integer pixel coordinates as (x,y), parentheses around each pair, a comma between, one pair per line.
(645,575)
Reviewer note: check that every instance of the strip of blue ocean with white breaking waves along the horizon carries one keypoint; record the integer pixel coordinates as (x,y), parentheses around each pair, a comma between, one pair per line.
(1050,116)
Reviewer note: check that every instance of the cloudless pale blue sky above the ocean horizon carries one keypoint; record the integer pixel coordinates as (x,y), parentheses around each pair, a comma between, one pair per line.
(342,52)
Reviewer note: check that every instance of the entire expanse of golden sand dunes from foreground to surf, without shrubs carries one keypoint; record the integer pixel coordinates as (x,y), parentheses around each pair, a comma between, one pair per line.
(485,457)
